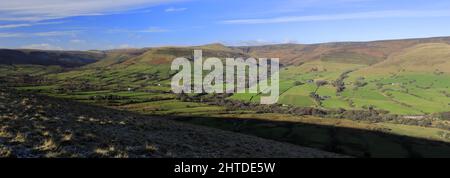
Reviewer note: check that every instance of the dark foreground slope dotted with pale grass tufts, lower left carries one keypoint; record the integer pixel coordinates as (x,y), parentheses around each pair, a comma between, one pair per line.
(38,126)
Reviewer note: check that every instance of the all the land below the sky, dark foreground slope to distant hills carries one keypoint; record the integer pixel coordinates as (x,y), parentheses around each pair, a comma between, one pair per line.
(362,99)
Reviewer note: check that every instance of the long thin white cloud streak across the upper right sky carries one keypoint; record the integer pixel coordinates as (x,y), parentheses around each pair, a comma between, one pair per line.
(345,16)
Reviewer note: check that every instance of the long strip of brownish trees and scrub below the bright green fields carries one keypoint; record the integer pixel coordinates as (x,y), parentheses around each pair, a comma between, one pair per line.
(370,115)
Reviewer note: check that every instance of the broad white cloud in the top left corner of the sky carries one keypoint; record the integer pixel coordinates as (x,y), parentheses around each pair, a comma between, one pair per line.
(33,10)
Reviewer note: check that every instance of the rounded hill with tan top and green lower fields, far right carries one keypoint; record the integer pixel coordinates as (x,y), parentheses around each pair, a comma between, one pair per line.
(413,81)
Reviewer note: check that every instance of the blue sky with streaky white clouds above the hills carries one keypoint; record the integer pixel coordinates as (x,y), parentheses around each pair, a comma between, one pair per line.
(106,24)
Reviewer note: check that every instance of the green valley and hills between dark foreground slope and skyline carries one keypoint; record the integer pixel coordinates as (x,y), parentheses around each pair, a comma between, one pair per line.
(365,86)
